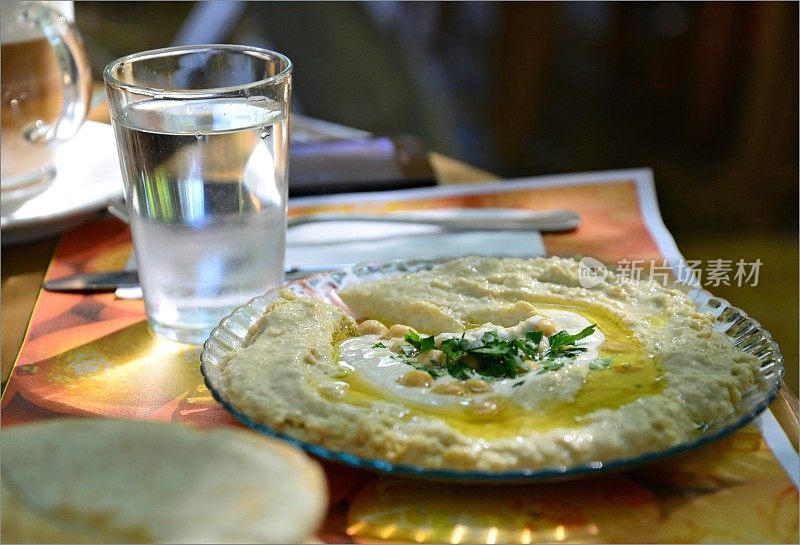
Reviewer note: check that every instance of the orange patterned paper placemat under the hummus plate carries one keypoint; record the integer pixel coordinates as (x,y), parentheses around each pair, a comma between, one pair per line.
(94,355)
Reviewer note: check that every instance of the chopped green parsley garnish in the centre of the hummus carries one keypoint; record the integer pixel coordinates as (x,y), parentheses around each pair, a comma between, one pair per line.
(493,358)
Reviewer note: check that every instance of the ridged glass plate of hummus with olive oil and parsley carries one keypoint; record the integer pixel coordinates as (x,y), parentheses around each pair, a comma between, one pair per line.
(490,369)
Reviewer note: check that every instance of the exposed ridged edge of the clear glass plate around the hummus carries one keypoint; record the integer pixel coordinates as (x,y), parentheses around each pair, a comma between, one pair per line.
(746,334)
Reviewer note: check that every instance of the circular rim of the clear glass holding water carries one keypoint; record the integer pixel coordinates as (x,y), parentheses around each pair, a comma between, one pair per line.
(176,50)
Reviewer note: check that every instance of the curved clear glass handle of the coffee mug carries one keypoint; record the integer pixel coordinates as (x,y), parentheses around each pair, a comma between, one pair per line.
(76,75)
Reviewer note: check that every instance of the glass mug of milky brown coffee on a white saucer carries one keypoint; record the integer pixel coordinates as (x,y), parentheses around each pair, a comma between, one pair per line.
(46,89)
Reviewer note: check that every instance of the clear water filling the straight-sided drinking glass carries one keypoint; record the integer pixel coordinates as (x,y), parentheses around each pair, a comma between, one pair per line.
(206,191)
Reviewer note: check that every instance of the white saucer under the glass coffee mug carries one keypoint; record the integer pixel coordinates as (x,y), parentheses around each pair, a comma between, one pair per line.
(87,177)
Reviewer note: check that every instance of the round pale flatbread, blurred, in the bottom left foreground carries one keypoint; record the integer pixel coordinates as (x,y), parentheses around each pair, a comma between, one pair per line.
(105,481)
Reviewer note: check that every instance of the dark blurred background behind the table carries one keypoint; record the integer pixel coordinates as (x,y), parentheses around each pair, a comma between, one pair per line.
(705,93)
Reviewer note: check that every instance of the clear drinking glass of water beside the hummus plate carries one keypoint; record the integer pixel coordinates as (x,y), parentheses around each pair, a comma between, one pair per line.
(203,140)
